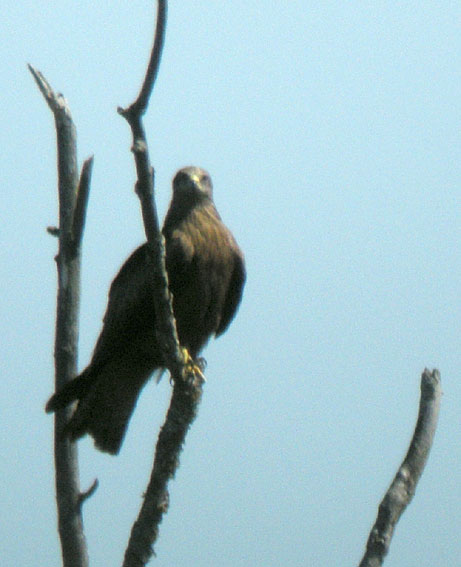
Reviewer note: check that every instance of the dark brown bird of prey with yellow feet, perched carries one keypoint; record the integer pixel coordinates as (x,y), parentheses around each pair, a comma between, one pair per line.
(206,273)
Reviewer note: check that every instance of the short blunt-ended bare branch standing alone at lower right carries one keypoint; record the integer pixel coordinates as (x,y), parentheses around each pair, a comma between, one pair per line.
(404,484)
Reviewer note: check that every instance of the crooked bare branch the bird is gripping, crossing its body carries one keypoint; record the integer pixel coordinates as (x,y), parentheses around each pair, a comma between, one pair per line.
(187,379)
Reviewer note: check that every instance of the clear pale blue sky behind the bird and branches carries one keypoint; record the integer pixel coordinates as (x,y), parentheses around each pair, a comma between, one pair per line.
(331,131)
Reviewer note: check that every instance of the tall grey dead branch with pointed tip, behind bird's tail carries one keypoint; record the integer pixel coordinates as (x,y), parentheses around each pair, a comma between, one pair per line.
(73,543)
